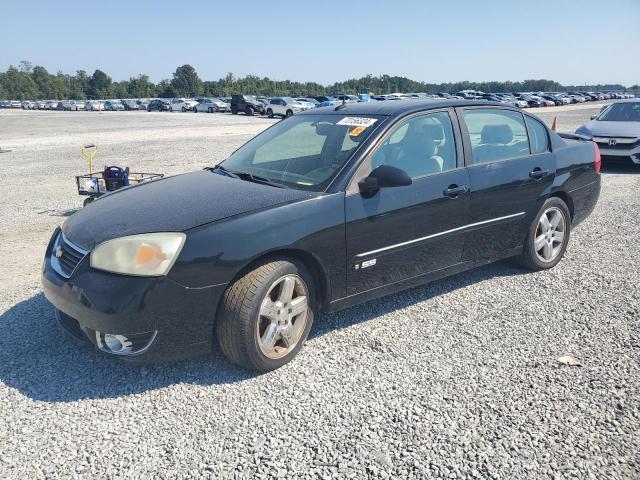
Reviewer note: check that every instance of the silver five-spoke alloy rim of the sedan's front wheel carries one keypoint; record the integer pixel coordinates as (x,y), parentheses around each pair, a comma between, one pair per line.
(283,316)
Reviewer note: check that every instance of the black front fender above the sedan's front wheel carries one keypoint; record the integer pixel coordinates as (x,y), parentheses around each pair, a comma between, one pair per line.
(216,252)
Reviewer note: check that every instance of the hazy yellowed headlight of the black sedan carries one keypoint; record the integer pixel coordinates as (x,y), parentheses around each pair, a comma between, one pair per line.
(147,255)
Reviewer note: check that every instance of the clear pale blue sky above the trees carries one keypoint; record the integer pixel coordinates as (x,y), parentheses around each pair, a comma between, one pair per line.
(586,42)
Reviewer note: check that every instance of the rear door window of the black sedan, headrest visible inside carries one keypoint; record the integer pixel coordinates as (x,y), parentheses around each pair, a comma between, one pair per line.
(496,134)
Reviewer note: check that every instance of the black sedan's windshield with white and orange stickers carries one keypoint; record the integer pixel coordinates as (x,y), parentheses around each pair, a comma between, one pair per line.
(304,151)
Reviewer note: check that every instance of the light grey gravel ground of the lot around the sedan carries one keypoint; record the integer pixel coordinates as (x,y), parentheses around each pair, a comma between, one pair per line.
(457,379)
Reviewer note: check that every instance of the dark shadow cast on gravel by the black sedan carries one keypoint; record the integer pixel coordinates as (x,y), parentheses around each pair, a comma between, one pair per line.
(39,360)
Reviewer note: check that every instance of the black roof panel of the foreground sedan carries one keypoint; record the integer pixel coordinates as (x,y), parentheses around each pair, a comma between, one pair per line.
(398,107)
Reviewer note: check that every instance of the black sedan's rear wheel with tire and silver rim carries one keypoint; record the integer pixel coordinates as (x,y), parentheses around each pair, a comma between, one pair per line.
(542,247)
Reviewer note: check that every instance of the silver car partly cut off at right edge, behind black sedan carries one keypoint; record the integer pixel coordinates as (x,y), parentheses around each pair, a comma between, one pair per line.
(616,130)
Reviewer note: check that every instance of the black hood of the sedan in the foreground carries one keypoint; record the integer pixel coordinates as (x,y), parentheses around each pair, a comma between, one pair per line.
(173,204)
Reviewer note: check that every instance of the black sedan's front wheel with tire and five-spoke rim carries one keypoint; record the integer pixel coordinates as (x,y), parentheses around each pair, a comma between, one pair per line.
(242,328)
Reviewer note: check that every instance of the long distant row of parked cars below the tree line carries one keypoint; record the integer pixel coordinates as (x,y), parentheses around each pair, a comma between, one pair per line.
(285,106)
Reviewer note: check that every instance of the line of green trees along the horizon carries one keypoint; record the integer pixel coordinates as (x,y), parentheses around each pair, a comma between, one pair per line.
(28,82)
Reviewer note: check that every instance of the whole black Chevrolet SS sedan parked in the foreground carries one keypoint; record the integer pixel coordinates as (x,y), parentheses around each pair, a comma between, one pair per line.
(324,210)
